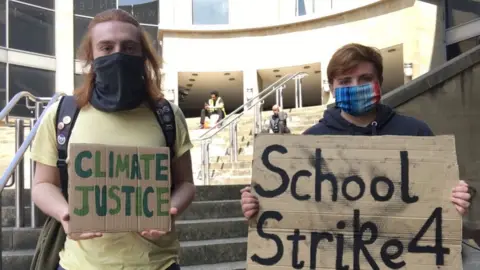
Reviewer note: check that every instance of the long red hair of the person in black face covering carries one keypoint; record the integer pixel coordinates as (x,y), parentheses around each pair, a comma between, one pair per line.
(152,61)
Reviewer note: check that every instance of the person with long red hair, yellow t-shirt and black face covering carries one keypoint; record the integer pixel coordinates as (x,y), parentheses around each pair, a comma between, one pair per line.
(114,101)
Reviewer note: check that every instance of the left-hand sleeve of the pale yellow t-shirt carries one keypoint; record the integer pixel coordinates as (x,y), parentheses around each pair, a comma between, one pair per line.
(44,146)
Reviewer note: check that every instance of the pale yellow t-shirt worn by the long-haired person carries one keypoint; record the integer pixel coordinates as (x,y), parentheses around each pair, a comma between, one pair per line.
(139,127)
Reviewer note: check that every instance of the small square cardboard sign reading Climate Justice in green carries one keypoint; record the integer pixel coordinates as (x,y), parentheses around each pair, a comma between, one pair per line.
(118,189)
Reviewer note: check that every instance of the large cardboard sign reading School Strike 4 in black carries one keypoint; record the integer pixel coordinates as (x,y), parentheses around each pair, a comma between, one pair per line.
(348,202)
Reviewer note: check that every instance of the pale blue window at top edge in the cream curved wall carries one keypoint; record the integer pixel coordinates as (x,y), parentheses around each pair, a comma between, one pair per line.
(210,11)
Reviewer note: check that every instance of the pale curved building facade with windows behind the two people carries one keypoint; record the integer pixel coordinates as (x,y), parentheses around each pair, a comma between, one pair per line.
(237,47)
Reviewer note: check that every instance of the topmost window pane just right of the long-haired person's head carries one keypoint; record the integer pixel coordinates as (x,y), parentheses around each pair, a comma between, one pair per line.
(145,11)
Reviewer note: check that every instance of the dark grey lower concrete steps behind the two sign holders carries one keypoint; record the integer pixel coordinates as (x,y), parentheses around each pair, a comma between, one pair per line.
(212,231)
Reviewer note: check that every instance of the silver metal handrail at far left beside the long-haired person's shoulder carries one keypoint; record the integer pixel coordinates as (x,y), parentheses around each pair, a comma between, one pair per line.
(26,143)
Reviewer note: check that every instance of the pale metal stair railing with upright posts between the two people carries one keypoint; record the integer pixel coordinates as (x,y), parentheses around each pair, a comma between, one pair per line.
(232,120)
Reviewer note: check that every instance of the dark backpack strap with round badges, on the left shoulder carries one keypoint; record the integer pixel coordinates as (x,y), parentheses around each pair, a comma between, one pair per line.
(67,113)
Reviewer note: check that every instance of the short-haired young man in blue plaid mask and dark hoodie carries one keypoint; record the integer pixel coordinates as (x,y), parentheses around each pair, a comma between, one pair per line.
(356,73)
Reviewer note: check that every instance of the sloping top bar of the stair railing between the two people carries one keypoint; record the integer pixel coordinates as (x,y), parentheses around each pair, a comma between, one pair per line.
(235,115)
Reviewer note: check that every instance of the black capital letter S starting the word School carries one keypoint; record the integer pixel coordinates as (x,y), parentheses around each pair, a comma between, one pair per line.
(266,162)
